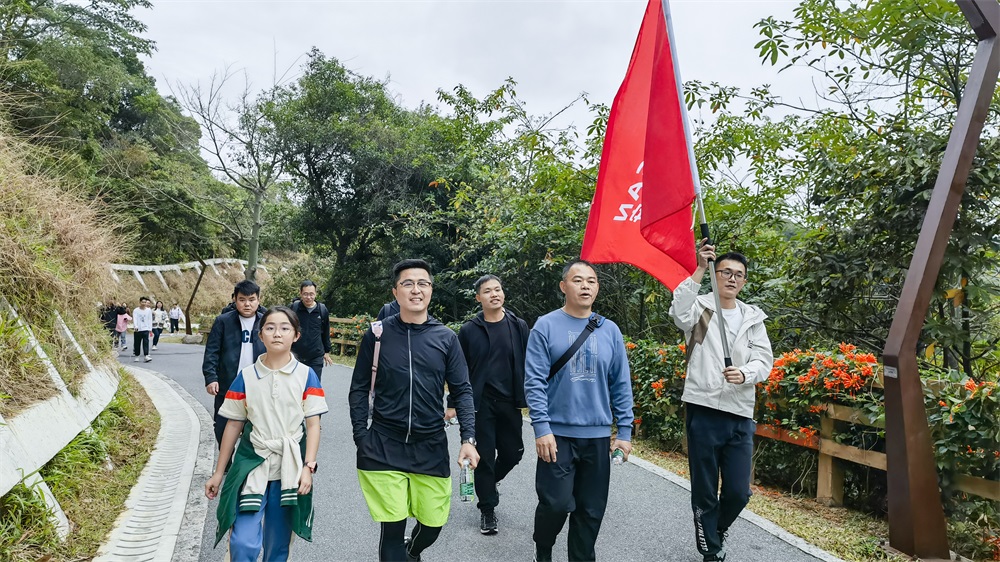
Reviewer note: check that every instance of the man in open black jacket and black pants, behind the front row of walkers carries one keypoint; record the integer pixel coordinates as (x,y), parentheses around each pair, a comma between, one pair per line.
(494,343)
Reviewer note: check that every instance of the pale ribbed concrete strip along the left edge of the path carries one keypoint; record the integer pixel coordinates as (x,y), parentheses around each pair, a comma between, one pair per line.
(158,518)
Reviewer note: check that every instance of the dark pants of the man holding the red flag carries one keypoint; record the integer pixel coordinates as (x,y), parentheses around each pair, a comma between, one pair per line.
(719,444)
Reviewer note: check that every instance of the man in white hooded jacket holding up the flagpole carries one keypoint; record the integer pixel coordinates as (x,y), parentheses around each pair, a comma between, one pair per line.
(719,400)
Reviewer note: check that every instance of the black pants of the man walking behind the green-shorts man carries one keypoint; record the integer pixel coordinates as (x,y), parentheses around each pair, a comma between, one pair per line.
(500,447)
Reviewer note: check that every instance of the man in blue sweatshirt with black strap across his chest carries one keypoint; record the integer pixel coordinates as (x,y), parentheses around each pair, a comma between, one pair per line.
(572,412)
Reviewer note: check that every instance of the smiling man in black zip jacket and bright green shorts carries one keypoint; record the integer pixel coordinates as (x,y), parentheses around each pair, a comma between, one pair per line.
(403,465)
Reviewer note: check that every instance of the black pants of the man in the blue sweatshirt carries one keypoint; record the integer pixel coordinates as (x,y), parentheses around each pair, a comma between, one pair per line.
(576,484)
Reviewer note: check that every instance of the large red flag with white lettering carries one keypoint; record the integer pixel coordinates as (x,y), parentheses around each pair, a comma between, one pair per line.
(645,179)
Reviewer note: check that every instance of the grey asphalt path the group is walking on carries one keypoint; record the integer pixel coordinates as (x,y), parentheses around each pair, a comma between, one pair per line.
(648,517)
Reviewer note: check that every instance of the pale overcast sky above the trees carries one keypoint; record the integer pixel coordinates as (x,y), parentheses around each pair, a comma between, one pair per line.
(554,49)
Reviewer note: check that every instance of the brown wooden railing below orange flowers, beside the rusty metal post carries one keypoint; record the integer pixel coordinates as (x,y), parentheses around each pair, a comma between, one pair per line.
(830,478)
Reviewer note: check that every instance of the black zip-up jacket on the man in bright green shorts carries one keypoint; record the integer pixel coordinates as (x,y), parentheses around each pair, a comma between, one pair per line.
(416,360)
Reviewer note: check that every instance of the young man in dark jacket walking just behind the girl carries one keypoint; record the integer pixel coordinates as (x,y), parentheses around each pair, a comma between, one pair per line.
(233,343)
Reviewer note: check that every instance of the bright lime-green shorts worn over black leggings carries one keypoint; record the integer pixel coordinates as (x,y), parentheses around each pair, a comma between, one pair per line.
(393,496)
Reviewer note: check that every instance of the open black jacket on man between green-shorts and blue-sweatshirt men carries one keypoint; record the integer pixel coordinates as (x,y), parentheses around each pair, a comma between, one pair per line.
(475,340)
